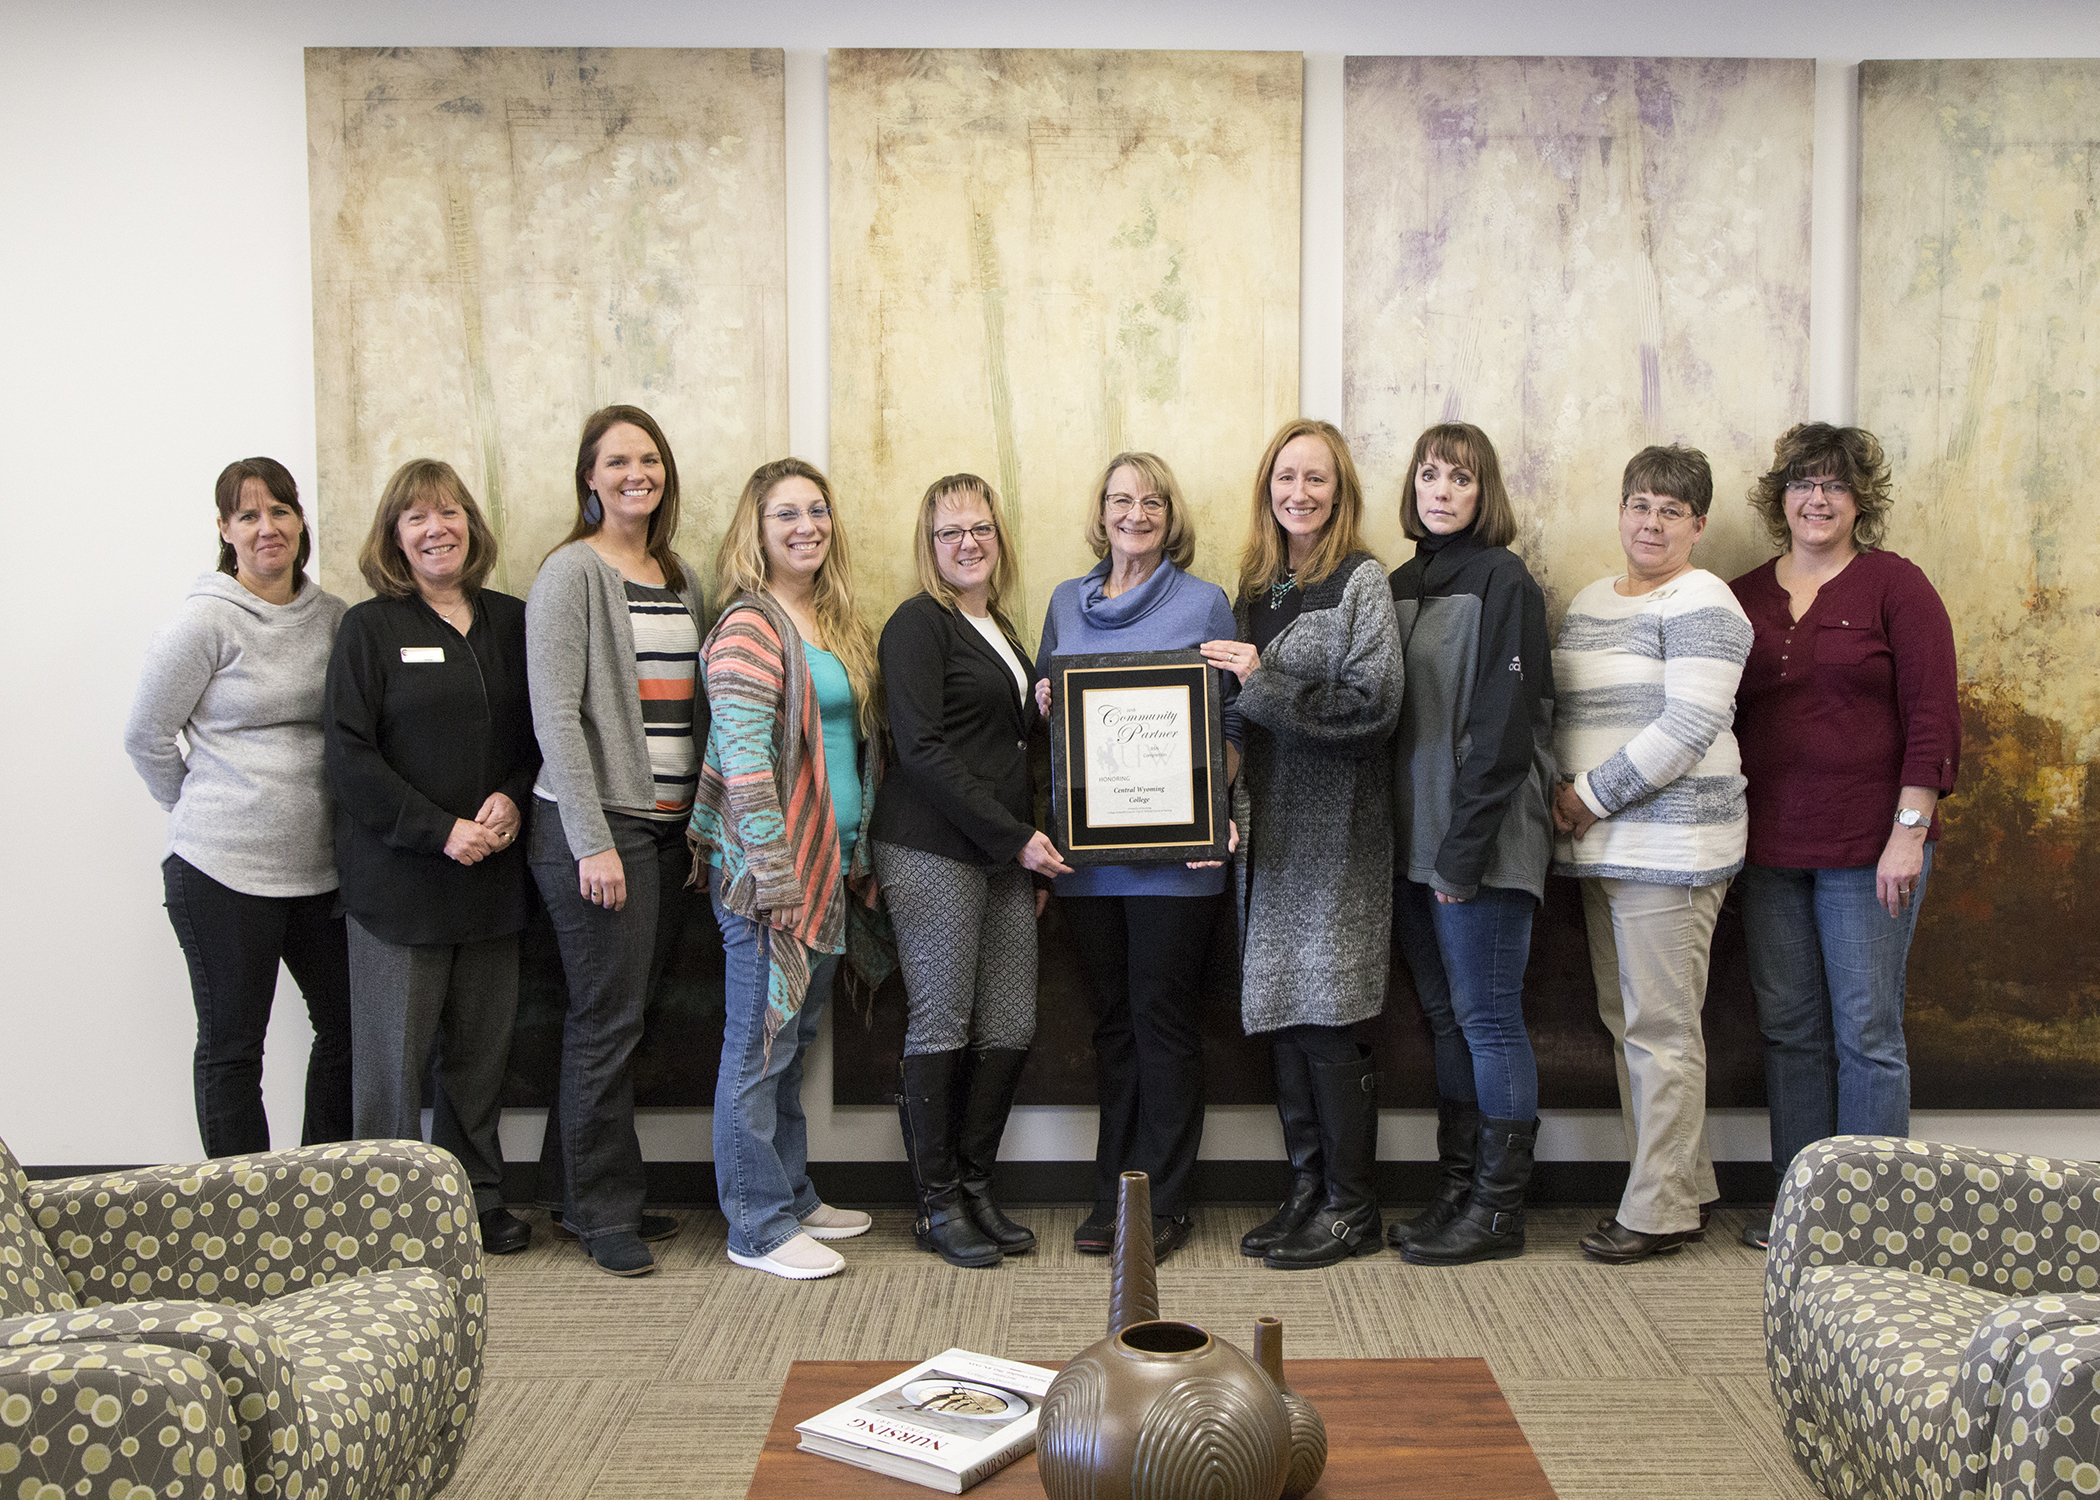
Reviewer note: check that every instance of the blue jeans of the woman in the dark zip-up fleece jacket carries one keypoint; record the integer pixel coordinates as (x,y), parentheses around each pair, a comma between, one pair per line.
(1469,965)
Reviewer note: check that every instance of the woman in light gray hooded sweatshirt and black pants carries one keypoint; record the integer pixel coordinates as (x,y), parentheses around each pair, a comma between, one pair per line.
(251,871)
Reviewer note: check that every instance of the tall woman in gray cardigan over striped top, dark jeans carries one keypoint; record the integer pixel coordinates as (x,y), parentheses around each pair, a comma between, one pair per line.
(612,648)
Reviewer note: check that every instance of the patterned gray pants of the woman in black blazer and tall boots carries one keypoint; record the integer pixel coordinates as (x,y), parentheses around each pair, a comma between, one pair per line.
(967,940)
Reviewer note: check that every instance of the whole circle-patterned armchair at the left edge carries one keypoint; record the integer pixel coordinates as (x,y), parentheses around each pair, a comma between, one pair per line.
(291,1325)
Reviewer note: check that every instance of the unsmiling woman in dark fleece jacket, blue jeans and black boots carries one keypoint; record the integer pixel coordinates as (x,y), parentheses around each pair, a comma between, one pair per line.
(1473,835)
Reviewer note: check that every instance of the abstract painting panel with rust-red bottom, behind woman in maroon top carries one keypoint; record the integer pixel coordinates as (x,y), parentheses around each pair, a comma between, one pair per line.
(1979,367)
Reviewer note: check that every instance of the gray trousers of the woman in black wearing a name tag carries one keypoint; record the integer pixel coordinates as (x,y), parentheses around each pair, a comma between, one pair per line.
(461,999)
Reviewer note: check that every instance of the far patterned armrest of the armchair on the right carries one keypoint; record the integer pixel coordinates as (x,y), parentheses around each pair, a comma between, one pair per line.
(2021,1226)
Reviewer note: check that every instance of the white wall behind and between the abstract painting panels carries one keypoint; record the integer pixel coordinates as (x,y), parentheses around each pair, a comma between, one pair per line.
(156,322)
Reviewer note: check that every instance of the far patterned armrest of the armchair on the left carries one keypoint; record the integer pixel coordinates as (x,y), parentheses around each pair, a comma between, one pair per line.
(251,1228)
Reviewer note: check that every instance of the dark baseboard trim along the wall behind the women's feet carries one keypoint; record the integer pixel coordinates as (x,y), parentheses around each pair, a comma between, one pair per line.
(889,1184)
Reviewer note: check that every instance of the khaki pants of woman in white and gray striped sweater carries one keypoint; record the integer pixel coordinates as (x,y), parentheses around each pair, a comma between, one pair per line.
(1650,951)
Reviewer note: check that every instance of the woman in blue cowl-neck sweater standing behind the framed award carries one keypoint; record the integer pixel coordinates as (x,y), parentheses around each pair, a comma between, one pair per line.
(1148,925)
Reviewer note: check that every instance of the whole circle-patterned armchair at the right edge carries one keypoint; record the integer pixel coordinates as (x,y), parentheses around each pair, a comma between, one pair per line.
(1933,1320)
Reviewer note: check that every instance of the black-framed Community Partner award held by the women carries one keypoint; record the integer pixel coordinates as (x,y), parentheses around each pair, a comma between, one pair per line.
(1076,743)
